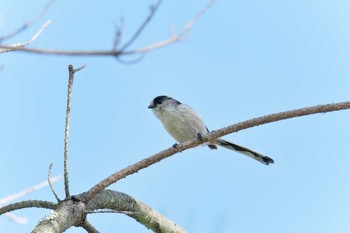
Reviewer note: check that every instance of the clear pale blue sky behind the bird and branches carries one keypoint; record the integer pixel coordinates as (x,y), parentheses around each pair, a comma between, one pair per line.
(242,60)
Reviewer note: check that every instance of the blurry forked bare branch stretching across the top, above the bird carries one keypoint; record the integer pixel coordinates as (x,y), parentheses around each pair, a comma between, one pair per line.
(116,53)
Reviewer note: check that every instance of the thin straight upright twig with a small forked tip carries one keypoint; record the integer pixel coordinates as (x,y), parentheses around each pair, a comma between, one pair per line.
(71,71)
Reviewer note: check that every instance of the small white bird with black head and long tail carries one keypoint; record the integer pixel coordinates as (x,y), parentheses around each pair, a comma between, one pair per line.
(184,124)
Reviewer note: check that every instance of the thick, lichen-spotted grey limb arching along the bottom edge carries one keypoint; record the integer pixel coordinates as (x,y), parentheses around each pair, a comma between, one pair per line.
(73,213)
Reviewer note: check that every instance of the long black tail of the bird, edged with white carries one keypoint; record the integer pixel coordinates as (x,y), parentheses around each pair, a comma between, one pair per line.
(241,149)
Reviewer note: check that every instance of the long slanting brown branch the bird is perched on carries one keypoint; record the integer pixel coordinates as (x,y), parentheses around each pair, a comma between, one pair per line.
(211,137)
